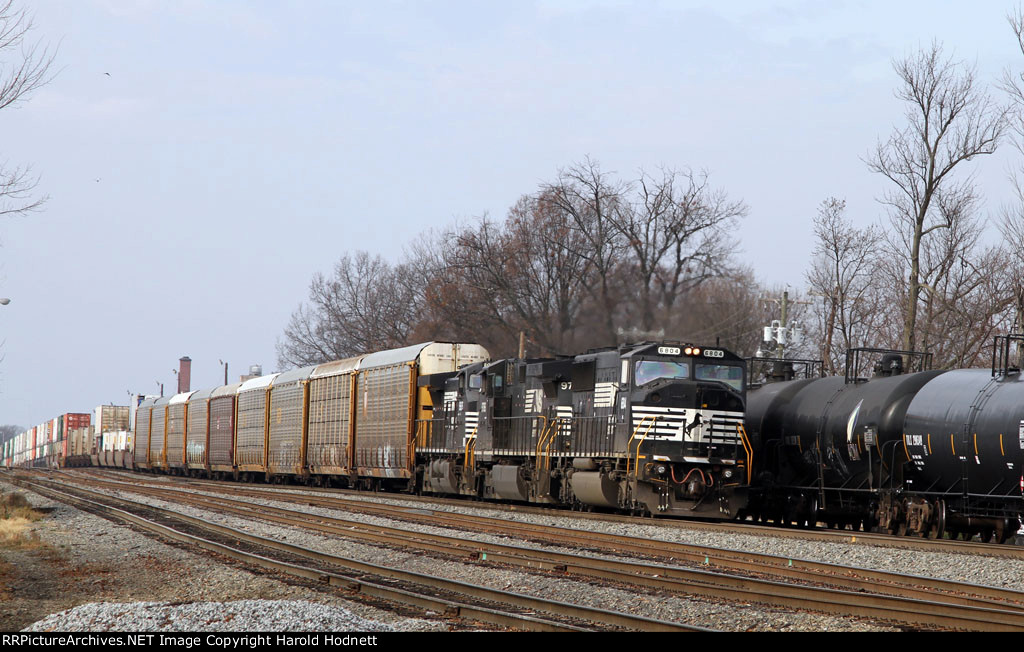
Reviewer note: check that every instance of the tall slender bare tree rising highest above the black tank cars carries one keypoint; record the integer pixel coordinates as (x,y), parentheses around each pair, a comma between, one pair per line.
(951,120)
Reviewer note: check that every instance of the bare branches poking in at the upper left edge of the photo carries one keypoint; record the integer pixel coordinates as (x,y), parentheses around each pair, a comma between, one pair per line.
(24,69)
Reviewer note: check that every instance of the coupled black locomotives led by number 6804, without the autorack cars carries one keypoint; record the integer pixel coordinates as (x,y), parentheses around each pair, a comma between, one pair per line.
(655,427)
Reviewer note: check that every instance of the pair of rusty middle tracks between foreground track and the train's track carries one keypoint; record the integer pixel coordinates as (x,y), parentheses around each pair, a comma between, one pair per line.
(911,601)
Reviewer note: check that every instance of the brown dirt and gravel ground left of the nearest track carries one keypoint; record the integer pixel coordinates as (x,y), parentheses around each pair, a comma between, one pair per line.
(75,558)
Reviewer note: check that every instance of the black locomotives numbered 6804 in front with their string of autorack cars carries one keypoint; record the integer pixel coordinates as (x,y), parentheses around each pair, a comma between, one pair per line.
(654,427)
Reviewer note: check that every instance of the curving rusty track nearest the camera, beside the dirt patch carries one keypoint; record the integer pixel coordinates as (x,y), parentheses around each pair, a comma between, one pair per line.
(453,598)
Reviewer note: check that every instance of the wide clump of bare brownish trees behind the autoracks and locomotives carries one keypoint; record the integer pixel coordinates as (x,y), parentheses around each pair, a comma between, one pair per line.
(567,267)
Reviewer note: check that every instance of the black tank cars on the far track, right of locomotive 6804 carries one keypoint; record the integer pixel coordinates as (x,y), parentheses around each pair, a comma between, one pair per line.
(926,453)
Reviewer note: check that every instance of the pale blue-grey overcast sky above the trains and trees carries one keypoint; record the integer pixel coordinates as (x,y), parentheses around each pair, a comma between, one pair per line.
(236,148)
